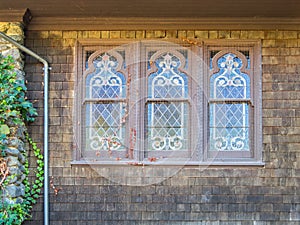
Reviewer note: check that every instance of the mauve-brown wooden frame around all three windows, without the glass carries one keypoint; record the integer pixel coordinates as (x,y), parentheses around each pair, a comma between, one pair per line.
(200,155)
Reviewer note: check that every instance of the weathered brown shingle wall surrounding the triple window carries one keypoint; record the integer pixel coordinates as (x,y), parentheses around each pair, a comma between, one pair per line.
(214,195)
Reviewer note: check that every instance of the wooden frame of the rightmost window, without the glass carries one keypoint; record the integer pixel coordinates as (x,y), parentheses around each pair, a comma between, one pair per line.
(255,101)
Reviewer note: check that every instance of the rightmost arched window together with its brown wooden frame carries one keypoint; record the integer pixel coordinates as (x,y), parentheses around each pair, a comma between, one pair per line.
(234,100)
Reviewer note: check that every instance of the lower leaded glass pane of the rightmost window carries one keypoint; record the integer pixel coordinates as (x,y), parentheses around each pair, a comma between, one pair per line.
(229,127)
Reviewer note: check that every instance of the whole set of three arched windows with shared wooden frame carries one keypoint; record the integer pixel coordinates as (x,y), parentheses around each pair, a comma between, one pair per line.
(154,102)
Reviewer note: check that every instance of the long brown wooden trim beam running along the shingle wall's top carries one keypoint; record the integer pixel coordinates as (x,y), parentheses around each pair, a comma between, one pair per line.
(97,23)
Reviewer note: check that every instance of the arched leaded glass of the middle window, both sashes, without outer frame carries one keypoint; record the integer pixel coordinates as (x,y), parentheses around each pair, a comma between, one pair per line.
(167,119)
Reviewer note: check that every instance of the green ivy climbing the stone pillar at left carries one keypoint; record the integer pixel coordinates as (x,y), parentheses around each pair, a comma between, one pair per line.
(15,112)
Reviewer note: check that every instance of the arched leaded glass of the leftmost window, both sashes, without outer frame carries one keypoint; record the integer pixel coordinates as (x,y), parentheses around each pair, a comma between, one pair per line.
(105,107)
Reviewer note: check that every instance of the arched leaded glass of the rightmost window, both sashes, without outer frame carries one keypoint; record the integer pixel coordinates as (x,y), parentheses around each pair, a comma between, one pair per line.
(229,105)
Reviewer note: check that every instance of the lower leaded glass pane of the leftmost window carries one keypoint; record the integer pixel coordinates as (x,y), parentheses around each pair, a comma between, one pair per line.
(104,127)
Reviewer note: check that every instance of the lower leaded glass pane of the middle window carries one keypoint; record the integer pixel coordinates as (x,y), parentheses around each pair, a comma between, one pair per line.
(167,126)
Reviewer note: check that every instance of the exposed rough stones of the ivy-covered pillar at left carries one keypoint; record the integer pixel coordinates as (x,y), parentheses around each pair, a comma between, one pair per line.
(15,151)
